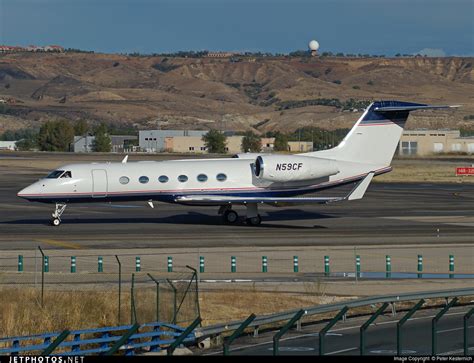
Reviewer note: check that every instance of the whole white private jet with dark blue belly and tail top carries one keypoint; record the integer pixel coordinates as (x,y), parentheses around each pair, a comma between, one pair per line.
(249,180)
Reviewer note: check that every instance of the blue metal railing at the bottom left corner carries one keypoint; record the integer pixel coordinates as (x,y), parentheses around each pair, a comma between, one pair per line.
(155,336)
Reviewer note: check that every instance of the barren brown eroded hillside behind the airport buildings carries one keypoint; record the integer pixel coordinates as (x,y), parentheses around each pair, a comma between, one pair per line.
(260,94)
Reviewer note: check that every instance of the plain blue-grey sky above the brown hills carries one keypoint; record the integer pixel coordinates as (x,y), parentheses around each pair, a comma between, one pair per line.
(438,27)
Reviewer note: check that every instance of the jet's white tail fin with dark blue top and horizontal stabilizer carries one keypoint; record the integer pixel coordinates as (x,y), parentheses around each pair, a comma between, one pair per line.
(375,136)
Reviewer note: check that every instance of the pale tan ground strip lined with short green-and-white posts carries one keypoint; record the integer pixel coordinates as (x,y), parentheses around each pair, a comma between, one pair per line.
(334,261)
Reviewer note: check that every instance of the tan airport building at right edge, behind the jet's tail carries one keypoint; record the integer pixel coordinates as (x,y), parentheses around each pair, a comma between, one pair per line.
(428,142)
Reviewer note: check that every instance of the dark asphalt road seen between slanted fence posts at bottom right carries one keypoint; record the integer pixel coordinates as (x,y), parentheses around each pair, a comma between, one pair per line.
(344,338)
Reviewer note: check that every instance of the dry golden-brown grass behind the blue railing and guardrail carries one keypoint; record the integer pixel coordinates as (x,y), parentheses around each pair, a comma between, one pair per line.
(21,312)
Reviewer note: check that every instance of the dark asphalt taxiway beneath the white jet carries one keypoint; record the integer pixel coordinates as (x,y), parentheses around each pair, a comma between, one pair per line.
(389,213)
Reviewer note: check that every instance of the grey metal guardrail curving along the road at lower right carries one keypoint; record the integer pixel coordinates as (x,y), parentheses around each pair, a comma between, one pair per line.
(287,315)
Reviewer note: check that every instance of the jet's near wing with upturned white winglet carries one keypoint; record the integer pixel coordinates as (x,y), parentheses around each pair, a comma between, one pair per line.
(356,193)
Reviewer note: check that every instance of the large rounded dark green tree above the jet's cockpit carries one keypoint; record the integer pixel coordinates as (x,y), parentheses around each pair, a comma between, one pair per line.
(55,136)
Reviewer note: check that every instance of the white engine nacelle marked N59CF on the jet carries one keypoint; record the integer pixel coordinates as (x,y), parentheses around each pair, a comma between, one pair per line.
(287,168)
